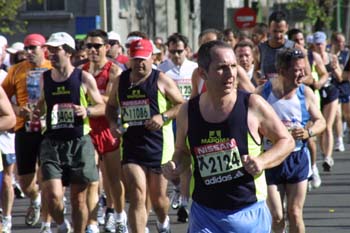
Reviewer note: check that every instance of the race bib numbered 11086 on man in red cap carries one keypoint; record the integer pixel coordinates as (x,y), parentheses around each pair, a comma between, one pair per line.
(136,112)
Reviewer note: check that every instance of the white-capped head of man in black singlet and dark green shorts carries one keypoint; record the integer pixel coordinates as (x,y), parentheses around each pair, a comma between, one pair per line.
(61,48)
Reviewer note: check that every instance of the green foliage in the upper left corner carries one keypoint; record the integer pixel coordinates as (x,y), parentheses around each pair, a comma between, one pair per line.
(9,22)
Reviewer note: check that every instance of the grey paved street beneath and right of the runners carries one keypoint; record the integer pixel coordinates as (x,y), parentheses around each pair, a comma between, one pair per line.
(327,209)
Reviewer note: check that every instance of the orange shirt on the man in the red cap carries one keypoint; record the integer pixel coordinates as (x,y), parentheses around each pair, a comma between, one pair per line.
(15,83)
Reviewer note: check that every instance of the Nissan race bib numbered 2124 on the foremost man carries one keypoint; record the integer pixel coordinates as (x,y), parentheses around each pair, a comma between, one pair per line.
(219,162)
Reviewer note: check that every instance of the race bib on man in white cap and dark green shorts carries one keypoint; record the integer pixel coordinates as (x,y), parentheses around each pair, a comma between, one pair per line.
(62,116)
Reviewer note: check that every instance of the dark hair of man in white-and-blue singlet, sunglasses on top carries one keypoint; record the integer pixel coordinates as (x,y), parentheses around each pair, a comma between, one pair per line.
(285,56)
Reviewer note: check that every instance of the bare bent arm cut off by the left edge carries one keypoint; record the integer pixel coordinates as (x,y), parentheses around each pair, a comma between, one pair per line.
(7,116)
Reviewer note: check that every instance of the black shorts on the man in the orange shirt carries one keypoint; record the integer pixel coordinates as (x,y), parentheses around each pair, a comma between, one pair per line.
(27,147)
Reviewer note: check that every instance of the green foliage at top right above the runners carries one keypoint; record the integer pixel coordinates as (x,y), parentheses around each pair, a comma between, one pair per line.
(315,9)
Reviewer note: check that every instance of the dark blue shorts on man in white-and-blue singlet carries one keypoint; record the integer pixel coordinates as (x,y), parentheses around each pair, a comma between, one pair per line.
(294,169)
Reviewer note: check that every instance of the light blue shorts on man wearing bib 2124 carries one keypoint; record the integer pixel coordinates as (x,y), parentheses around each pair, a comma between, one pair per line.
(247,220)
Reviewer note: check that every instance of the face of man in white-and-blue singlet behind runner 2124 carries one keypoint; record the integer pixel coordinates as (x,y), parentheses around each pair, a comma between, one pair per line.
(295,74)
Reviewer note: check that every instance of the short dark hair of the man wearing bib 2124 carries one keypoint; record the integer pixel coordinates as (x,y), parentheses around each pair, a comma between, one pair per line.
(204,52)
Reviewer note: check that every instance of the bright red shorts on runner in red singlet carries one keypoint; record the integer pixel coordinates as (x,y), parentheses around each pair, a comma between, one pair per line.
(102,138)
